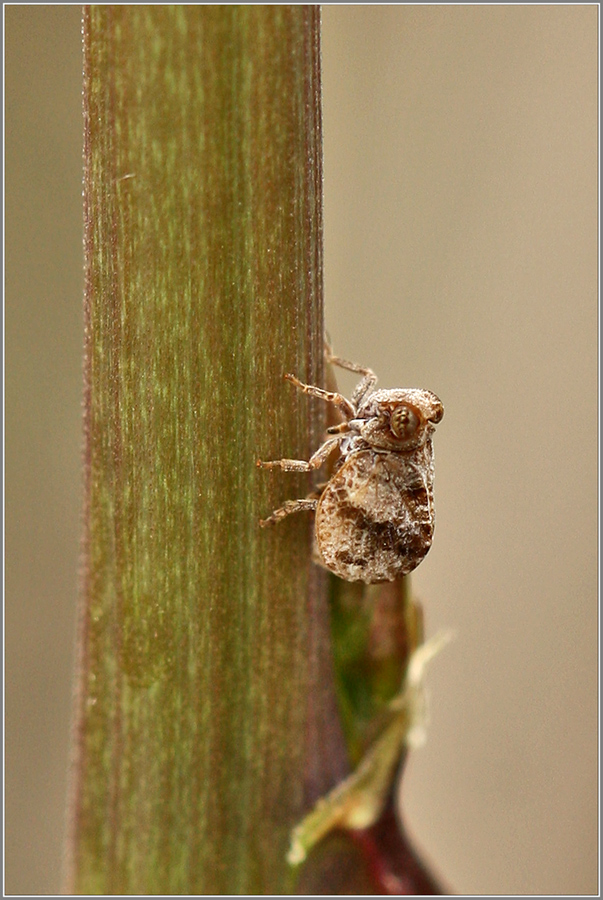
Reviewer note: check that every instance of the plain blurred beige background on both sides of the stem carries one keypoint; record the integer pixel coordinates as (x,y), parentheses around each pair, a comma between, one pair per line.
(461,255)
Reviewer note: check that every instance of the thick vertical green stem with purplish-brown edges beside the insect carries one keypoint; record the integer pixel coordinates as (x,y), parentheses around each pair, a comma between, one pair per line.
(205,717)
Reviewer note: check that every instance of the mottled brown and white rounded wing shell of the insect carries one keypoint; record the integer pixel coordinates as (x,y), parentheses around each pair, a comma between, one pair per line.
(375,517)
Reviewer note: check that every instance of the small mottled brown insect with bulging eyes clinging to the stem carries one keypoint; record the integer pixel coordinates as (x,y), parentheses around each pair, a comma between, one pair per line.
(374,518)
